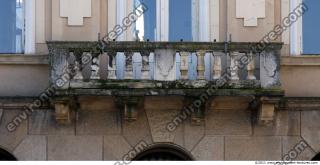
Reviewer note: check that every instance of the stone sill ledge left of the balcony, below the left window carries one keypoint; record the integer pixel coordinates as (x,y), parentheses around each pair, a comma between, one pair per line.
(23,59)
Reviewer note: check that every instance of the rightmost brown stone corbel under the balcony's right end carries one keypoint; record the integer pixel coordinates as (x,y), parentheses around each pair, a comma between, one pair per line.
(267,110)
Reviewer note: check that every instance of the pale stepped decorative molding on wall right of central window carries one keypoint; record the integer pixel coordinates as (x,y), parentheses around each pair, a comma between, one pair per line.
(250,11)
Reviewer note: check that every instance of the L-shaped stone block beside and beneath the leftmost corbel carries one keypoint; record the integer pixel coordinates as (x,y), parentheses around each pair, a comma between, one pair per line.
(42,122)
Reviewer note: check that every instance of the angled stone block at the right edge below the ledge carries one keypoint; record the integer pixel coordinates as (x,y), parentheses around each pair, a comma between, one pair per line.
(310,128)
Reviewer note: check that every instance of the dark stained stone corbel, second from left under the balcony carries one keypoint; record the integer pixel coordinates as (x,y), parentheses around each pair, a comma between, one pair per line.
(130,106)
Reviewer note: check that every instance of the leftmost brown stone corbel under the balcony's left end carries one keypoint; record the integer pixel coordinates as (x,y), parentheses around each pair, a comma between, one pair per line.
(64,110)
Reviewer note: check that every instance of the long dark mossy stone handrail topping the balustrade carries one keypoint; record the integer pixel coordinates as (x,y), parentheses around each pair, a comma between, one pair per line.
(134,46)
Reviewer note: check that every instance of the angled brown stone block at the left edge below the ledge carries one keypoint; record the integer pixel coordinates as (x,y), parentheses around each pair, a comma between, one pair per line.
(17,121)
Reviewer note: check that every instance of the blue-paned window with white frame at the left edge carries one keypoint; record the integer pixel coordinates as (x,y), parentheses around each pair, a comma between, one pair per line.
(11,26)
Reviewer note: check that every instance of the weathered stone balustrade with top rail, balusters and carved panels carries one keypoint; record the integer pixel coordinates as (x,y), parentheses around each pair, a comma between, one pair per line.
(85,65)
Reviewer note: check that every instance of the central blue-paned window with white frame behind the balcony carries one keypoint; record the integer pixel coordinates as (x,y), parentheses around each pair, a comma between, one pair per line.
(167,20)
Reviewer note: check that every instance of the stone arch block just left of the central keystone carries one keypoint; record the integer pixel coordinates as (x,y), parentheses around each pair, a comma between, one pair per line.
(138,130)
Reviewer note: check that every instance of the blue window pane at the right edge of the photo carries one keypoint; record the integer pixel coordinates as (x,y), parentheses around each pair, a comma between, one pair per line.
(310,29)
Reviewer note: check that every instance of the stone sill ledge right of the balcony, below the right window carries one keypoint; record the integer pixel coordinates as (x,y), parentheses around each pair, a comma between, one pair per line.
(304,60)
